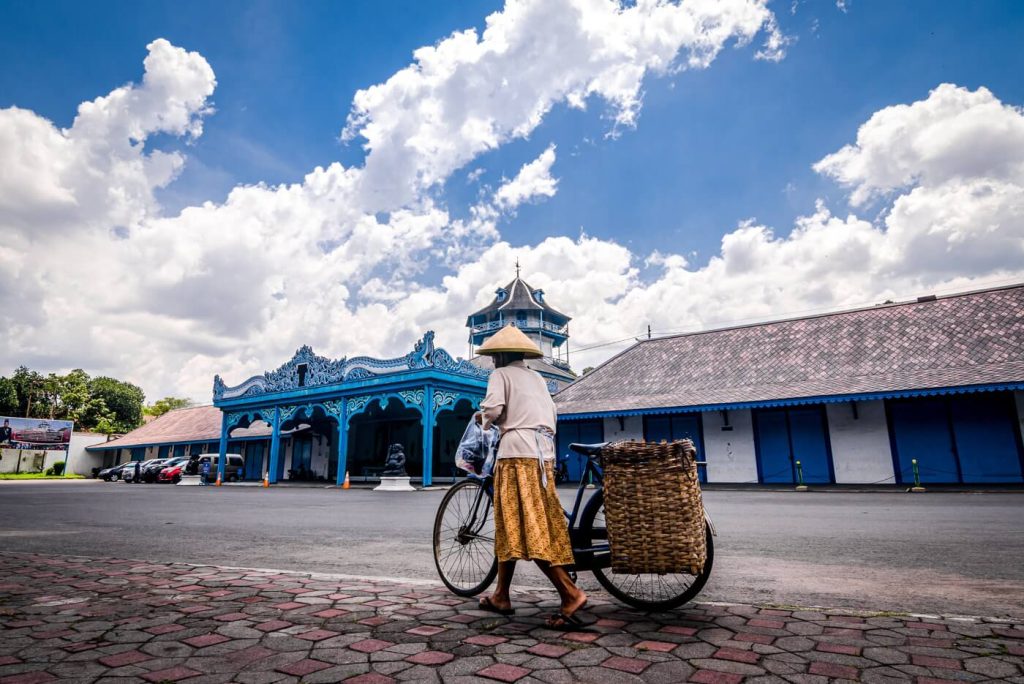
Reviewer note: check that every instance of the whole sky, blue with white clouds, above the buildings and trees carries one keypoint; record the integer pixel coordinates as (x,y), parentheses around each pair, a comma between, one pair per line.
(191,189)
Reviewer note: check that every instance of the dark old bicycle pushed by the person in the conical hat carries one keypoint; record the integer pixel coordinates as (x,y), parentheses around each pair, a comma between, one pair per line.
(464,542)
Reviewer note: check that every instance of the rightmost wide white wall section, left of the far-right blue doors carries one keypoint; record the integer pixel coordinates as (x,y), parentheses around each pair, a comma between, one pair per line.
(862,453)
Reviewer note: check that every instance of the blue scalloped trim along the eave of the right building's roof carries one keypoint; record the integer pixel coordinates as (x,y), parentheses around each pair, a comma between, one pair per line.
(825,399)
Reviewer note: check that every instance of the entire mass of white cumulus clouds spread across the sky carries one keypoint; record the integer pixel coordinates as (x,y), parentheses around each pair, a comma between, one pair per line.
(338,259)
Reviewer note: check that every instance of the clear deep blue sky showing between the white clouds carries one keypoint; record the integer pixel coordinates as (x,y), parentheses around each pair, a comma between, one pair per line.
(713,147)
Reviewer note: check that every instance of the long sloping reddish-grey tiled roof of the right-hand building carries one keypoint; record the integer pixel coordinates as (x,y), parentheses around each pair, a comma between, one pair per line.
(968,339)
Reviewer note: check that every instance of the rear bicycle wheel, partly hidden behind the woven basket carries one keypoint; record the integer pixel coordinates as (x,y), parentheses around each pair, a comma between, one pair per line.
(648,592)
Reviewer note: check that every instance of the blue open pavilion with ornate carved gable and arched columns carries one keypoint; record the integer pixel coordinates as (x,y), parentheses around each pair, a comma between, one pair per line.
(352,410)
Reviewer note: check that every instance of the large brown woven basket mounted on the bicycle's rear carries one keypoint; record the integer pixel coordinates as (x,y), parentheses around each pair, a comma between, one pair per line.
(653,508)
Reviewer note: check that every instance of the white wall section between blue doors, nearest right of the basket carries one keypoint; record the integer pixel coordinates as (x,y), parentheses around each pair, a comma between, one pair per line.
(730,454)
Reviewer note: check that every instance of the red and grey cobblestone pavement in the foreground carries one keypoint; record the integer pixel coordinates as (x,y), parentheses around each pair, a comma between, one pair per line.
(92,620)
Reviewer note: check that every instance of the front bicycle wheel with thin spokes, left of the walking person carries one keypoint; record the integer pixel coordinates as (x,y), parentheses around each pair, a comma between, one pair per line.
(464,539)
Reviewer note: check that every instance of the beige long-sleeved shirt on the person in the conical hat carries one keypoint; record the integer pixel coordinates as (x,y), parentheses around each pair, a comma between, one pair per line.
(519,403)
